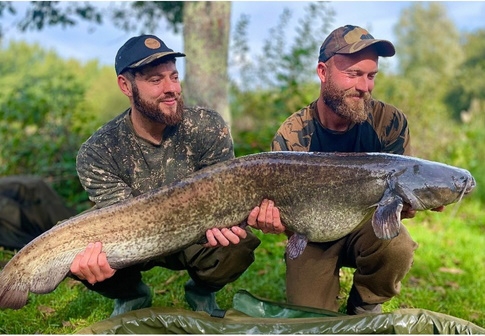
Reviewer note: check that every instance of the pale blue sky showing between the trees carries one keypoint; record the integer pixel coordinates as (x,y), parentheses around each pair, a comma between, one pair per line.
(379,17)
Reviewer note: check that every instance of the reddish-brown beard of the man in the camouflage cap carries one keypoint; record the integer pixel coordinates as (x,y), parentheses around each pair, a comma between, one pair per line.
(355,112)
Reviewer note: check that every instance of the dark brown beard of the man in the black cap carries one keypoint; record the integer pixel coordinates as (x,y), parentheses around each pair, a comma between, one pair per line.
(153,112)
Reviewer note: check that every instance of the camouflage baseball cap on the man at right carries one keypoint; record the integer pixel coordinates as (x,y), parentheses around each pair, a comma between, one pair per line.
(351,39)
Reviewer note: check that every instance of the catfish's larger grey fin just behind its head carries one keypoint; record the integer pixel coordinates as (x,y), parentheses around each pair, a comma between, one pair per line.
(386,220)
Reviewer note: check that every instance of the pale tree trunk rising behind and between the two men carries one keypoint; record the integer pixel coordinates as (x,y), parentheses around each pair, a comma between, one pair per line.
(206,44)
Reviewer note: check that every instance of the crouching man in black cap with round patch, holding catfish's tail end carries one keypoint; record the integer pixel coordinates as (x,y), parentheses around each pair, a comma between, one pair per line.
(156,141)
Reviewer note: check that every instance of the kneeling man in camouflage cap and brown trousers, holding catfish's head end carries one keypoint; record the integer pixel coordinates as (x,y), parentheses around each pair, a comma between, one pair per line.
(345,118)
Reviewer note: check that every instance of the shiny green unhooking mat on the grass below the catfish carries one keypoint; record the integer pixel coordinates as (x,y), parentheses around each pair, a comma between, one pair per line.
(251,315)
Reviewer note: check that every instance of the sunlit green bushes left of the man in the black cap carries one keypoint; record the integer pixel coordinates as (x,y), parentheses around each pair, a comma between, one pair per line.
(46,111)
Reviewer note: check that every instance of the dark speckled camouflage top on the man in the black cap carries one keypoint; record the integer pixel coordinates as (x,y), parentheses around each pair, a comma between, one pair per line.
(115,164)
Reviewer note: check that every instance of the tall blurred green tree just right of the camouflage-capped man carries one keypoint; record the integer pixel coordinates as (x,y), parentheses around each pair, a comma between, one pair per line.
(429,53)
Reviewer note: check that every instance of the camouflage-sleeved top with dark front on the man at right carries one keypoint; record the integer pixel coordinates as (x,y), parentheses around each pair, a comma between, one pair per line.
(385,130)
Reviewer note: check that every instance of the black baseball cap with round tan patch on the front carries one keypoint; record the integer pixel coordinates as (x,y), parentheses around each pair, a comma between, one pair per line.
(141,50)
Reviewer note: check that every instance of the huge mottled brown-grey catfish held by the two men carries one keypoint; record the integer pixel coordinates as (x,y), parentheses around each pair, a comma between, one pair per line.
(321,196)
